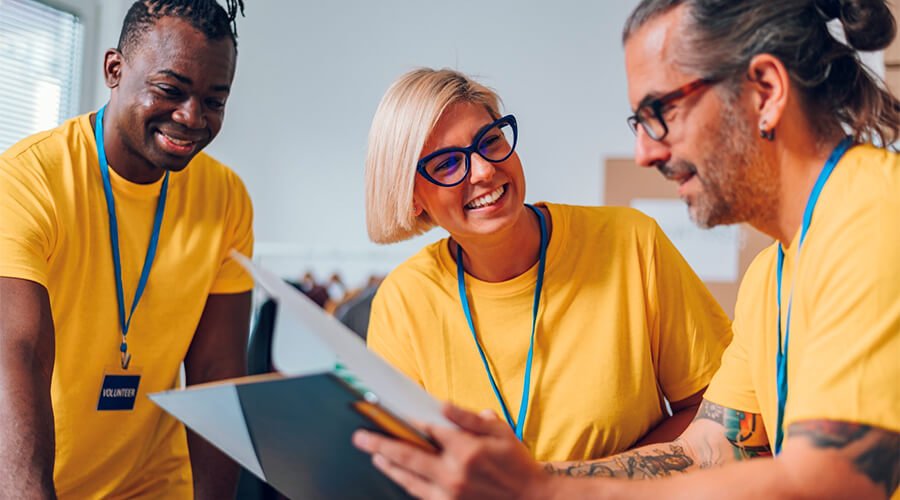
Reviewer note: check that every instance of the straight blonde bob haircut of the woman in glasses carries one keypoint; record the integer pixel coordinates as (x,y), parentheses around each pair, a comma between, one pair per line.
(408,112)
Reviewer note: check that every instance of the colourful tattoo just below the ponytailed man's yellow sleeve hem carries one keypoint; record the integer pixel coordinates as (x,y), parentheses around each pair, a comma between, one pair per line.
(743,430)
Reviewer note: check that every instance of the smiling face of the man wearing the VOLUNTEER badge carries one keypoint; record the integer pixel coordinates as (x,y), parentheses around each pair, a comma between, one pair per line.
(168,98)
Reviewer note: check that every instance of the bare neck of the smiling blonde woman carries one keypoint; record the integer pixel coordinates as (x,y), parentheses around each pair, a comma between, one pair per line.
(503,256)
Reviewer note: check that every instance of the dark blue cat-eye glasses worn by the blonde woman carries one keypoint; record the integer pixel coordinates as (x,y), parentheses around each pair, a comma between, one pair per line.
(449,166)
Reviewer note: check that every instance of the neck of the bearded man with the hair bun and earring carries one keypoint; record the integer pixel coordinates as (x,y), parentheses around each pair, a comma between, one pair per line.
(799,168)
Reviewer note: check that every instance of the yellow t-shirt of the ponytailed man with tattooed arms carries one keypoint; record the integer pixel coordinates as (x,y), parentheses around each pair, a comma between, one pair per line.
(844,350)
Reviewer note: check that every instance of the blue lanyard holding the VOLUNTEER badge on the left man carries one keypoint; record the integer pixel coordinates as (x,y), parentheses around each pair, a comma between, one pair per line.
(124,320)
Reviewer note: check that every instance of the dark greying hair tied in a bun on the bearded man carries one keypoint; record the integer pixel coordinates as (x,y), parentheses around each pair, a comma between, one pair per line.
(722,36)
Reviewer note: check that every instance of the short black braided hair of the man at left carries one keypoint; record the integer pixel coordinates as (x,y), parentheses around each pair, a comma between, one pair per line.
(207,16)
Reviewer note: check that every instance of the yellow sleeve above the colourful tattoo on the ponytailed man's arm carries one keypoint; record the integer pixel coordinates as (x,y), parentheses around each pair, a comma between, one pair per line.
(732,386)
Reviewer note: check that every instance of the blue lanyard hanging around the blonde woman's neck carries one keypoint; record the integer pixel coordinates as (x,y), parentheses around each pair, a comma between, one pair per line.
(526,385)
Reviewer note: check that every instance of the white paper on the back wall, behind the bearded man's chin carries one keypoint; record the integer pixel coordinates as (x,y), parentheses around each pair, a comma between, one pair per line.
(712,253)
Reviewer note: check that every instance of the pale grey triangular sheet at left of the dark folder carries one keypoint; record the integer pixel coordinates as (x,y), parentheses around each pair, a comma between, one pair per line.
(214,412)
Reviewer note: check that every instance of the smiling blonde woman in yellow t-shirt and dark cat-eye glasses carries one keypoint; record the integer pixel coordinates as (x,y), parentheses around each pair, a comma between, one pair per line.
(571,323)
